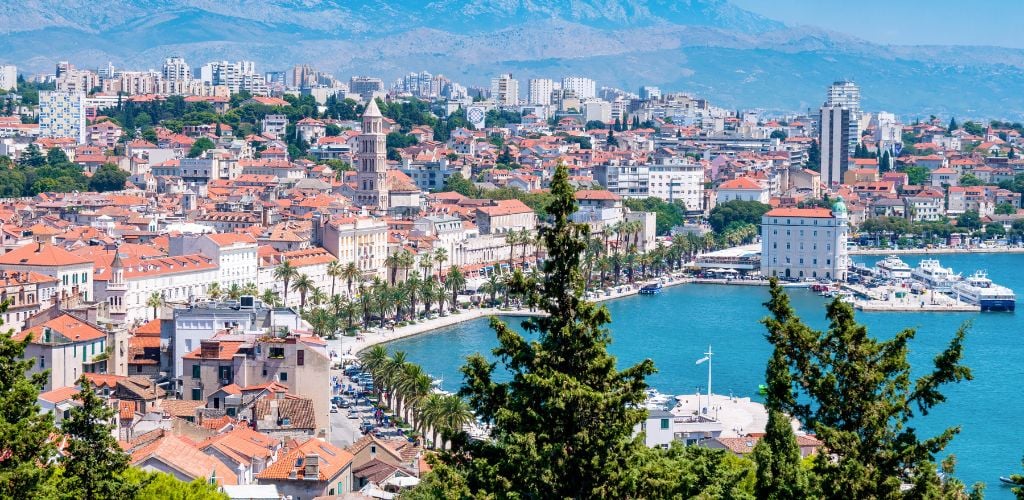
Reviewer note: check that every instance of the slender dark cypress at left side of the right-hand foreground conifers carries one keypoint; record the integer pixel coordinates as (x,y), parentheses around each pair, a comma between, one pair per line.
(780,474)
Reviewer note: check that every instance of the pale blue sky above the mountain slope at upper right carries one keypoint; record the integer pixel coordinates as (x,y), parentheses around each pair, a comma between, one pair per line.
(907,22)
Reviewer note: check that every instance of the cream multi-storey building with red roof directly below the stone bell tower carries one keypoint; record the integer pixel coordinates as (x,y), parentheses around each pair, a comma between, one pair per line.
(360,240)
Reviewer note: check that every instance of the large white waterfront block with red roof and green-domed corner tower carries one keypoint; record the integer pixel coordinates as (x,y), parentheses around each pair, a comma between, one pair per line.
(805,243)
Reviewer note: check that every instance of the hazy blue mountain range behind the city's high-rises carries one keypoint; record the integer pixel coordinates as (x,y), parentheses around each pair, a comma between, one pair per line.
(711,48)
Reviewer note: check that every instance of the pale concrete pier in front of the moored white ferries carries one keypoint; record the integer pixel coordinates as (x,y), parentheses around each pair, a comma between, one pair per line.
(901,300)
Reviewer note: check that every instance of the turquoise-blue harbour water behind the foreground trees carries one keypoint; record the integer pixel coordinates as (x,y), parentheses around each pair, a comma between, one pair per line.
(676,327)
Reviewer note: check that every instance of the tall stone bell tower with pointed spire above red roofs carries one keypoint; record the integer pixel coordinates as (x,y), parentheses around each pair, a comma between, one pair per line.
(371,179)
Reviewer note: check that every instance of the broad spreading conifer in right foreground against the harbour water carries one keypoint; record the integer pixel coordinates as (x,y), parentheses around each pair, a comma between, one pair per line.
(859,396)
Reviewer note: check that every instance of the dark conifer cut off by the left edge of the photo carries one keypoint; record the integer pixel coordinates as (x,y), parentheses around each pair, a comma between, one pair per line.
(25,433)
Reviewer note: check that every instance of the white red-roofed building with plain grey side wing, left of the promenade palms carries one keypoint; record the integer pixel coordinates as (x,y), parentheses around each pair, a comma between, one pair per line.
(234,255)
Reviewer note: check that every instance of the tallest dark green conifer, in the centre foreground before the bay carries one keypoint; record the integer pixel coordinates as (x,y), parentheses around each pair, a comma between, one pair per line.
(563,427)
